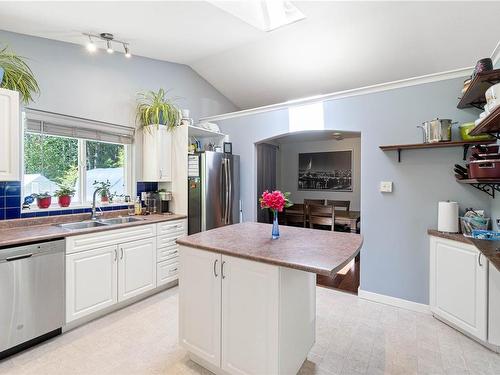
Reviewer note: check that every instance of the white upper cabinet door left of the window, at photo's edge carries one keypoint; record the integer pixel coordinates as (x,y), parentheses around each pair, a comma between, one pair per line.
(9,136)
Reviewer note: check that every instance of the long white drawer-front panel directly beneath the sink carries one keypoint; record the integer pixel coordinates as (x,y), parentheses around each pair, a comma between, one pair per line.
(110,237)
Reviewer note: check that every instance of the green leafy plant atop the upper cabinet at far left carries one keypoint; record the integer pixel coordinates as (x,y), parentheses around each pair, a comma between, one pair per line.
(18,75)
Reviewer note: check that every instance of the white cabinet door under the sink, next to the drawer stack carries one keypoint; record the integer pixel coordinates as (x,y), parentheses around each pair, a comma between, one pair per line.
(137,268)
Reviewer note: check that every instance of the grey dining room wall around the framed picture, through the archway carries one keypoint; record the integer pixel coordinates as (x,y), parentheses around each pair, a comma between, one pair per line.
(289,166)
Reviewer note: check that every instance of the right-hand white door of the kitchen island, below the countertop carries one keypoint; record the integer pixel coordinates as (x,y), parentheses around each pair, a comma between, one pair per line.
(250,312)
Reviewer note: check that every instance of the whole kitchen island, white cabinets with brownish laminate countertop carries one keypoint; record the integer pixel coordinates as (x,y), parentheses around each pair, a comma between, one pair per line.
(247,303)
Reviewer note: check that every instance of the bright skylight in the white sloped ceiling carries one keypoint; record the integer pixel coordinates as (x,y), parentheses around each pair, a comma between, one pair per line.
(265,15)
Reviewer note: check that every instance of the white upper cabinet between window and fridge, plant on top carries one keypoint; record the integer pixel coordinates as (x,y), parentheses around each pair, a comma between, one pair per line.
(157,154)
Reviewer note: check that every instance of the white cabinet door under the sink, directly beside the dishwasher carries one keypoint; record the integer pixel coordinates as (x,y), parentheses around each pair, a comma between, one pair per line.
(90,281)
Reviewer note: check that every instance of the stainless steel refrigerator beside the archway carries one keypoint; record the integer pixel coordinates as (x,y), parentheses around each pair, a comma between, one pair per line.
(213,190)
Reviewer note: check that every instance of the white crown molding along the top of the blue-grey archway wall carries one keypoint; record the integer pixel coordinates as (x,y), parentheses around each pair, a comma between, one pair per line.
(435,77)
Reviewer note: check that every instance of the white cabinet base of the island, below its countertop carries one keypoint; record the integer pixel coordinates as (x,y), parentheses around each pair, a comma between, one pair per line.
(238,316)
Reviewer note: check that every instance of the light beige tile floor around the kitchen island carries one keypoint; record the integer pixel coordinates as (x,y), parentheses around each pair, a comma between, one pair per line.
(354,336)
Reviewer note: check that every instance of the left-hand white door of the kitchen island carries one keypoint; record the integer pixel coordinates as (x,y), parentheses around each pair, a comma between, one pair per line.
(200,303)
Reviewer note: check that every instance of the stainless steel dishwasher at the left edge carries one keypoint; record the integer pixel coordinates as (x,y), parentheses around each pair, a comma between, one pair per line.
(32,290)
